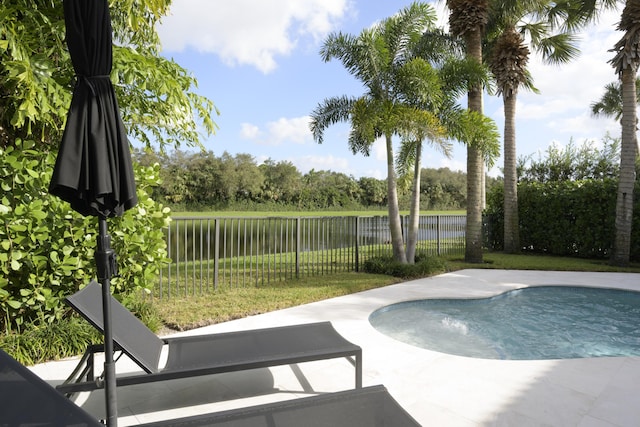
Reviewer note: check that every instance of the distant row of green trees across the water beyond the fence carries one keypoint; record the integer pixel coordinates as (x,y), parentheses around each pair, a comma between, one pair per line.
(200,180)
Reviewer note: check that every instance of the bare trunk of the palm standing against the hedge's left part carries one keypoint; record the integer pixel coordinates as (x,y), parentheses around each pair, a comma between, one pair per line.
(511,227)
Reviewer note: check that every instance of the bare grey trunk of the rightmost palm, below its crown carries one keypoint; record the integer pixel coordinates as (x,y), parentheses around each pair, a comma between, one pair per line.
(628,154)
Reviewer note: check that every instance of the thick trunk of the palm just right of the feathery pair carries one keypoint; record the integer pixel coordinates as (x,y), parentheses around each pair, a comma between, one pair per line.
(473,237)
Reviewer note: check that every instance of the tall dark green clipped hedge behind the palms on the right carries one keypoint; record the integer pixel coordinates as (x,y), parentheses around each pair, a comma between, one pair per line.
(566,218)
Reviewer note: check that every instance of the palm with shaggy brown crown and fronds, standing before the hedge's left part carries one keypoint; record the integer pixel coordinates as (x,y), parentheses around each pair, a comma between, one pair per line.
(510,23)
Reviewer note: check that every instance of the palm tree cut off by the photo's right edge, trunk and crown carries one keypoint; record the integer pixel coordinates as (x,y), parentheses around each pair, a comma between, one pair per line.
(626,61)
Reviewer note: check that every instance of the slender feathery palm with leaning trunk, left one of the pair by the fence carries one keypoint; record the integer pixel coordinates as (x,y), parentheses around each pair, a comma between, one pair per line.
(375,57)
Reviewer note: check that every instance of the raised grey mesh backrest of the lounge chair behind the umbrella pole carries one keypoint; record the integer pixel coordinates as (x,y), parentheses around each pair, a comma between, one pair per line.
(129,333)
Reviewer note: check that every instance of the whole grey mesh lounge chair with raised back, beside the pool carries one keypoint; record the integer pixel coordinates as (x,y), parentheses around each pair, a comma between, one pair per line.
(202,354)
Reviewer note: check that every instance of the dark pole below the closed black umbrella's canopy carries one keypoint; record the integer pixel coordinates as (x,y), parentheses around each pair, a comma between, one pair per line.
(105,263)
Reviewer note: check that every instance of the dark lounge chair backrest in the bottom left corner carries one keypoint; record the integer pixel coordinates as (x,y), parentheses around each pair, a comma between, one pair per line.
(27,400)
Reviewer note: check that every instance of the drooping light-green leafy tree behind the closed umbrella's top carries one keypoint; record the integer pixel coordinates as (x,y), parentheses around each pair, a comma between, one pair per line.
(156,96)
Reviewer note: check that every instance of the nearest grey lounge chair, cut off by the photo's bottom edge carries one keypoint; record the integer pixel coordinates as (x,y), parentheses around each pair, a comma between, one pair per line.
(27,400)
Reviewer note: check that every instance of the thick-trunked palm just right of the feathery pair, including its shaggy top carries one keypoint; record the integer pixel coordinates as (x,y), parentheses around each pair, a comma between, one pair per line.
(467,19)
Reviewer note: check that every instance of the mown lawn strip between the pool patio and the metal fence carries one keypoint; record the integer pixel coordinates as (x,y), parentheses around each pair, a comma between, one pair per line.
(232,303)
